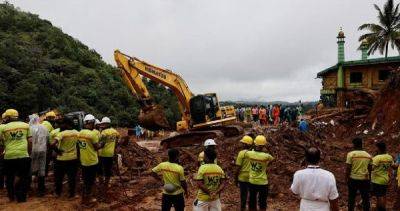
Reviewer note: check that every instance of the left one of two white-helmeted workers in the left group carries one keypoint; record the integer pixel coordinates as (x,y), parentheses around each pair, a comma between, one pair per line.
(88,141)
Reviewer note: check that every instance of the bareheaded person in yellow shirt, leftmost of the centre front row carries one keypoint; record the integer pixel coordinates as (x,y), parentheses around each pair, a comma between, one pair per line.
(174,182)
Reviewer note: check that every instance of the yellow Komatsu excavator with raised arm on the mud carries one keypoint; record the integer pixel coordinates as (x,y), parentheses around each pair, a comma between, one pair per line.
(202,115)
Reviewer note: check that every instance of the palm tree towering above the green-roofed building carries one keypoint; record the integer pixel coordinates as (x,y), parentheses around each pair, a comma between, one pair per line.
(386,32)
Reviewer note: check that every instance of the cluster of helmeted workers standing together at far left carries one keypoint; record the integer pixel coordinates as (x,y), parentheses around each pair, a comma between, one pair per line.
(28,150)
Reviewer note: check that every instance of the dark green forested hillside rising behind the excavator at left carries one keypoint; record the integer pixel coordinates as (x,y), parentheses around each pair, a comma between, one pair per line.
(41,67)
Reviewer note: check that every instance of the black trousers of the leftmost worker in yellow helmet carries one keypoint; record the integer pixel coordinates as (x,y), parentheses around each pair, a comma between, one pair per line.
(17,168)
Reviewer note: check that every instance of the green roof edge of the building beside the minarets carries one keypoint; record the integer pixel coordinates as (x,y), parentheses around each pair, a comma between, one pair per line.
(360,63)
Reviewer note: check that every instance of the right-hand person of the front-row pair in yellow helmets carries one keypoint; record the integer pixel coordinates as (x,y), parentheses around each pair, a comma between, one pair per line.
(258,178)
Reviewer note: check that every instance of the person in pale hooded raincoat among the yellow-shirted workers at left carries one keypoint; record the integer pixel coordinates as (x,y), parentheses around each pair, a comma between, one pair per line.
(40,137)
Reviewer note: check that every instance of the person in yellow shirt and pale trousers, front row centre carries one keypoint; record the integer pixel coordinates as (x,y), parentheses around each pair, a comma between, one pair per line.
(211,181)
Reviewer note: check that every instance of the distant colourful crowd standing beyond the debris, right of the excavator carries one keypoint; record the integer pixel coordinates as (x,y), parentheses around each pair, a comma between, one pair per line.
(270,114)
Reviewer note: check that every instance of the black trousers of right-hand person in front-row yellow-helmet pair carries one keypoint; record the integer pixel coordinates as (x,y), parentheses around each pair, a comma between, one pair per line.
(260,192)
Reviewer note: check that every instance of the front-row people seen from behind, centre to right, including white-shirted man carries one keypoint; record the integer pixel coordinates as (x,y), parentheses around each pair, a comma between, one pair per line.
(315,186)
